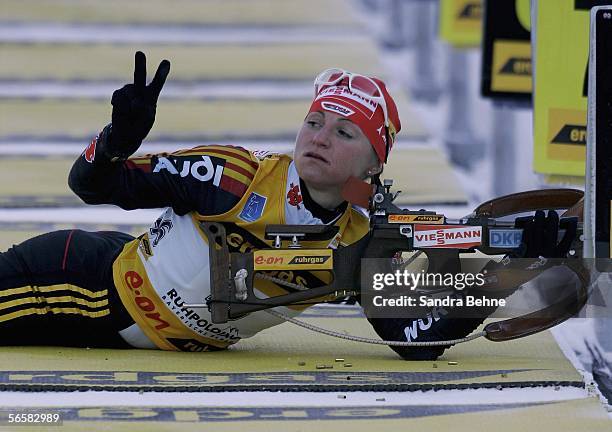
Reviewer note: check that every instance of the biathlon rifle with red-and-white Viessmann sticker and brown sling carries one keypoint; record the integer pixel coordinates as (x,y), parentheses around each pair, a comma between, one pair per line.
(394,230)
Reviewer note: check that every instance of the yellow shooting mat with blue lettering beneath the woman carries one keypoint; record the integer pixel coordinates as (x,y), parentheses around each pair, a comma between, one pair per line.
(272,360)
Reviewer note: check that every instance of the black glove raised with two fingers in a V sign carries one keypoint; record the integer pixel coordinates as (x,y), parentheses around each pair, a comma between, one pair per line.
(134,110)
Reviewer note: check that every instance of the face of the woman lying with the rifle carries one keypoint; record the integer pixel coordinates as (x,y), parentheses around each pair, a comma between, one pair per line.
(330,148)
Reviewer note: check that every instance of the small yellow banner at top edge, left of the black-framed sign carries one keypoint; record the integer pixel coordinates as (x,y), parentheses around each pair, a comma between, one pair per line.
(461,22)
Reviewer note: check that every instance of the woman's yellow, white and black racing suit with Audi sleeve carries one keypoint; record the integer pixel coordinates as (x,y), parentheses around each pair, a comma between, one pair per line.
(110,289)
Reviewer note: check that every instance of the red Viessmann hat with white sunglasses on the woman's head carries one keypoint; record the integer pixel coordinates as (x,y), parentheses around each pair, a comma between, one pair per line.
(348,97)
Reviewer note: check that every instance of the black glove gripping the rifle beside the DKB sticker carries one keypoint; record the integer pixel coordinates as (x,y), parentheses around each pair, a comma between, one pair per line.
(540,233)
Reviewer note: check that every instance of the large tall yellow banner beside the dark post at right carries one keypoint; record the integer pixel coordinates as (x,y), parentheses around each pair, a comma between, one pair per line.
(560,92)
